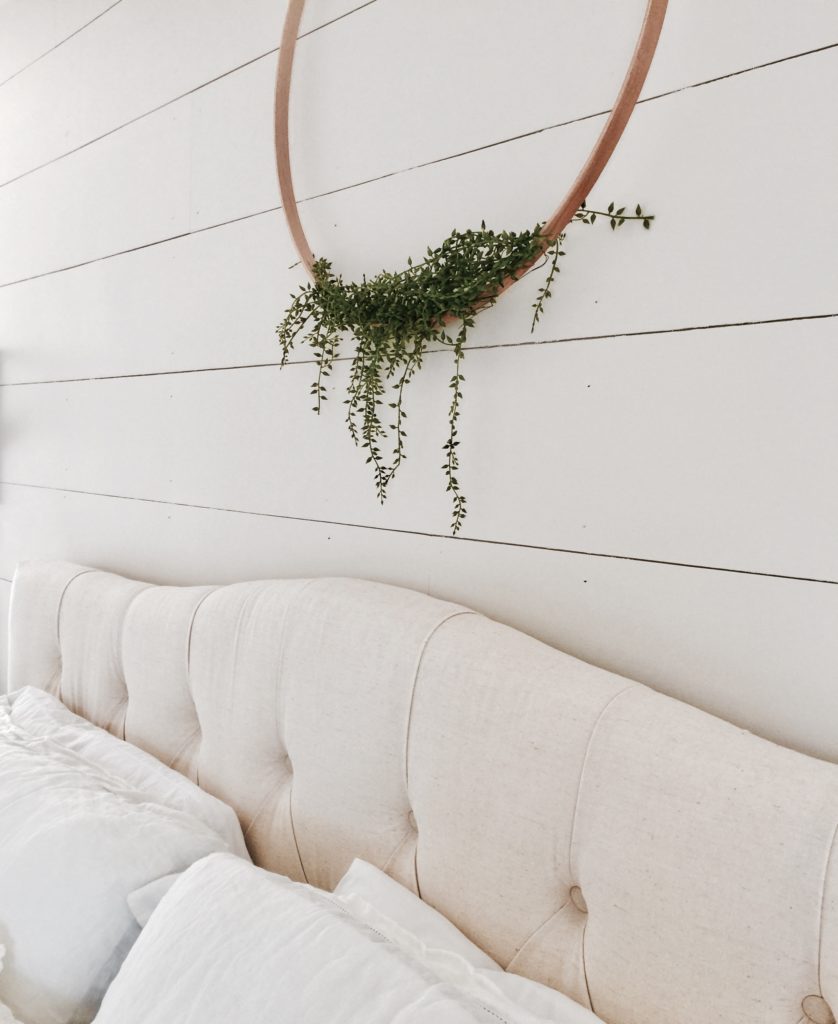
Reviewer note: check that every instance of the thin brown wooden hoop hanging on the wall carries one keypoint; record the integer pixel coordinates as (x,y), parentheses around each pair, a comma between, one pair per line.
(592,169)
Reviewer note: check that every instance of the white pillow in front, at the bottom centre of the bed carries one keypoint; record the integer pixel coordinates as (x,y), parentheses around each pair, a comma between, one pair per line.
(232,943)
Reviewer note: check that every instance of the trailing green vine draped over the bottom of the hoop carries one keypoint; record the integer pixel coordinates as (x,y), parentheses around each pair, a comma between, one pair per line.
(397,317)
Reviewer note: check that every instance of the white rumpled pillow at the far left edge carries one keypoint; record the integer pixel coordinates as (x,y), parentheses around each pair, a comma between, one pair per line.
(87,820)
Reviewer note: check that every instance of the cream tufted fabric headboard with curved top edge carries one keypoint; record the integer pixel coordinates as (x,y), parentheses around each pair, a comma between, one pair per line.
(639,855)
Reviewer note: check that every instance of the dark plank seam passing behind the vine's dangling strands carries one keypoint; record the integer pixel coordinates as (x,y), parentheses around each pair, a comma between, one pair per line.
(527,344)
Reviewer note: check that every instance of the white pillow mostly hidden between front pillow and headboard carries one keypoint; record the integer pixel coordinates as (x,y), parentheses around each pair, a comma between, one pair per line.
(388,907)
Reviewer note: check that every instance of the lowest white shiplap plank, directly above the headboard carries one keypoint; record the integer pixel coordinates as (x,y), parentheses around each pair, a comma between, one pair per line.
(761,653)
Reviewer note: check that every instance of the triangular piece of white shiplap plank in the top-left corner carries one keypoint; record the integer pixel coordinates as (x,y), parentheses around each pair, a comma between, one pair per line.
(30,29)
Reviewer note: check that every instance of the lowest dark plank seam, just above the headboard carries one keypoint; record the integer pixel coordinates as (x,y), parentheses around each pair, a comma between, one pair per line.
(420,533)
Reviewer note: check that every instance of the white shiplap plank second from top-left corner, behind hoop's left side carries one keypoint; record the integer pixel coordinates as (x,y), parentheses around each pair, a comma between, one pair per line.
(154,50)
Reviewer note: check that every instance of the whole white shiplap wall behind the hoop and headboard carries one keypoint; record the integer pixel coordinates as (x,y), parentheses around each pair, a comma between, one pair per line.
(651,474)
